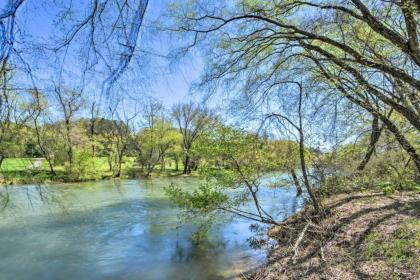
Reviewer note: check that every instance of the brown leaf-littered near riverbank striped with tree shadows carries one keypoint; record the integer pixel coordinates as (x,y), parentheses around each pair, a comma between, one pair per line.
(364,236)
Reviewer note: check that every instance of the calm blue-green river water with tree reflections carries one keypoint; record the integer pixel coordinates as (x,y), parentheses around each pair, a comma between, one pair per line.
(122,230)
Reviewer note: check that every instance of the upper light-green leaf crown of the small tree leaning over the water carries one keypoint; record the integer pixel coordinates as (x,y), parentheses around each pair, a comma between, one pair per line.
(234,156)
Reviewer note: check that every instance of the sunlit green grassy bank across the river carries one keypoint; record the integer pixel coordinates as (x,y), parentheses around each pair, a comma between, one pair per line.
(21,171)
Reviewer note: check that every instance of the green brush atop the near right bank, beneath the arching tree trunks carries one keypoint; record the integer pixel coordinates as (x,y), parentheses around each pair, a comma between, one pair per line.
(389,169)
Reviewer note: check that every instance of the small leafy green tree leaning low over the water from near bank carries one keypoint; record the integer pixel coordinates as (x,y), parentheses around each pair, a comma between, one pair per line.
(246,160)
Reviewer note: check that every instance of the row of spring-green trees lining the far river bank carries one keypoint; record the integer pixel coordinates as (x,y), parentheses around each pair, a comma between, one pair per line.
(66,130)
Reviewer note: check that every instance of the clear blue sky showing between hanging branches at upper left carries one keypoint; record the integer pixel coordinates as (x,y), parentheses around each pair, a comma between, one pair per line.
(158,78)
